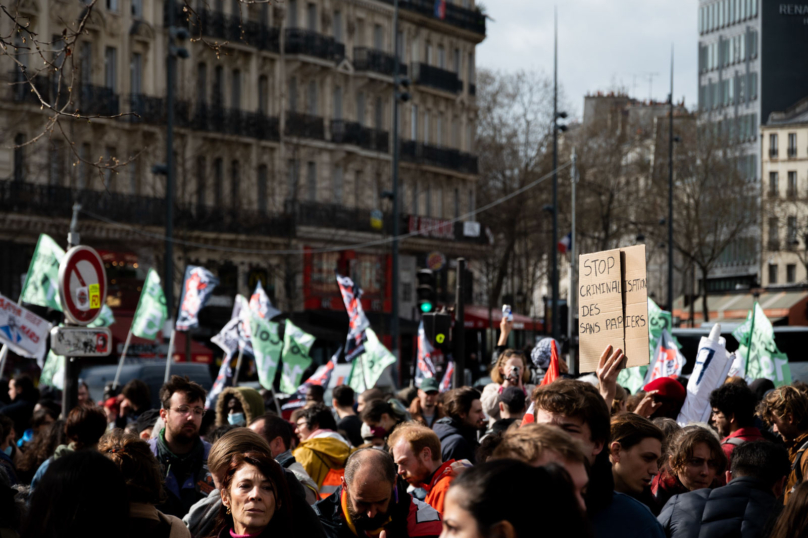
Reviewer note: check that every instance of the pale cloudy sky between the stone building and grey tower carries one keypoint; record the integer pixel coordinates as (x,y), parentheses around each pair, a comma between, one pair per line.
(602,44)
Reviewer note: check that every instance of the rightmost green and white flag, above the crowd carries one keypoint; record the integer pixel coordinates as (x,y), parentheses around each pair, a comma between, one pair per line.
(758,352)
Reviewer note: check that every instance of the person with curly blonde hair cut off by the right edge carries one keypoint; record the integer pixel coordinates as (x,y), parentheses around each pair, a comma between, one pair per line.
(785,409)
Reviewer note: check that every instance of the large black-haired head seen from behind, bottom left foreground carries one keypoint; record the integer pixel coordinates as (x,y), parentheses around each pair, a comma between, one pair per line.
(82,494)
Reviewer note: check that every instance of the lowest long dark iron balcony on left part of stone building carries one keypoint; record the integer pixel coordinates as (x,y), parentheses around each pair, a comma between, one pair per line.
(57,202)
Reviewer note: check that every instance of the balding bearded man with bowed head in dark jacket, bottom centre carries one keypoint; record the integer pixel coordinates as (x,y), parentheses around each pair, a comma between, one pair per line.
(370,501)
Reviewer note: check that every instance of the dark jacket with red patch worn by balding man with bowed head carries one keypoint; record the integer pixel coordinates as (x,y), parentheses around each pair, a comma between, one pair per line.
(410,518)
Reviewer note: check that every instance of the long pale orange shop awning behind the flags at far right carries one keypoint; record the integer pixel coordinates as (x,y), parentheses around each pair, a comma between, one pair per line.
(782,307)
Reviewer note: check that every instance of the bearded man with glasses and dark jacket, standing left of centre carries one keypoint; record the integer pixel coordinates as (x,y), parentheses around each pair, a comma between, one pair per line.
(182,454)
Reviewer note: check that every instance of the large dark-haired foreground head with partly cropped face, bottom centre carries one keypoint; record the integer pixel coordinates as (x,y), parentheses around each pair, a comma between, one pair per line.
(481,503)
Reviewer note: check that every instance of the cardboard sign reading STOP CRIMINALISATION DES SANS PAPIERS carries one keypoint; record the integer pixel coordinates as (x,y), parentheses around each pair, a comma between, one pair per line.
(613,305)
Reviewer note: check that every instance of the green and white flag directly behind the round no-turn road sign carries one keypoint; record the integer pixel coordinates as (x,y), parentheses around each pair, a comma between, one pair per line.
(42,281)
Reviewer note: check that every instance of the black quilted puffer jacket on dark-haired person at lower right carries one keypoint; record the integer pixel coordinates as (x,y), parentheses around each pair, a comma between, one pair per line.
(743,508)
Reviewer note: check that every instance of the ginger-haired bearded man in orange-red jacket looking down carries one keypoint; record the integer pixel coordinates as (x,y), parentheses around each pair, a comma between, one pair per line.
(417,455)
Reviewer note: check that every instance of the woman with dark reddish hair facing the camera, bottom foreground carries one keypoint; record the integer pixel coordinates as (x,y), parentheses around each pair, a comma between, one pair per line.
(255,498)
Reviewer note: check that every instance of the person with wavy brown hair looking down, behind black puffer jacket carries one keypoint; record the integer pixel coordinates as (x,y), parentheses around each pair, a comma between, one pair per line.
(695,461)
